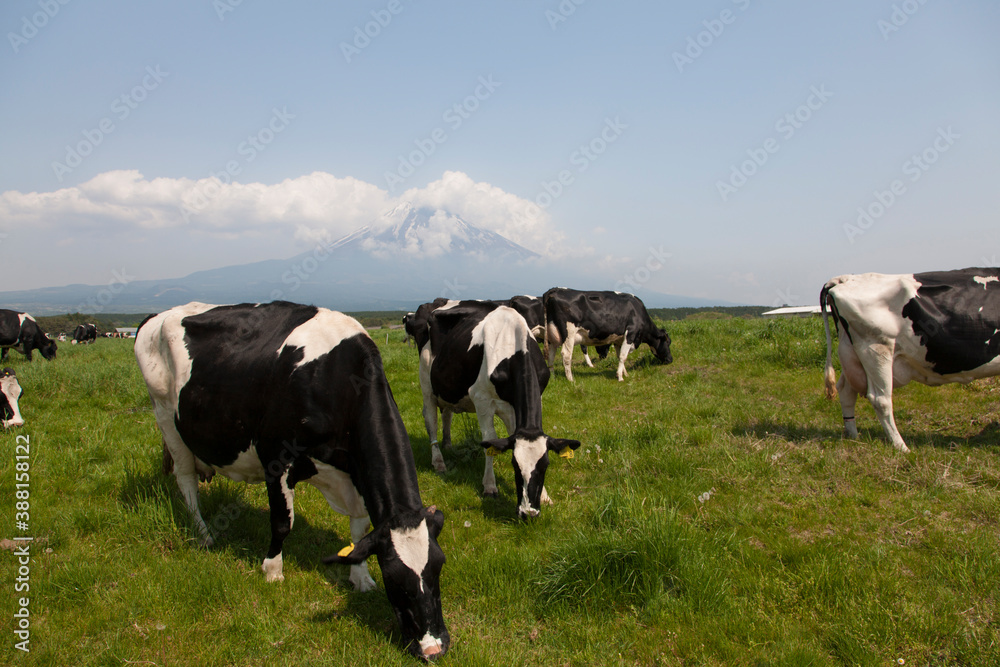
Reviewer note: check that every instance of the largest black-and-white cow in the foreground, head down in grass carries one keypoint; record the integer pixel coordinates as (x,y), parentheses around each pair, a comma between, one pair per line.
(282,393)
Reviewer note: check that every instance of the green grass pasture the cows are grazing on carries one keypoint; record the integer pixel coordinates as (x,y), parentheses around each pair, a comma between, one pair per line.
(712,516)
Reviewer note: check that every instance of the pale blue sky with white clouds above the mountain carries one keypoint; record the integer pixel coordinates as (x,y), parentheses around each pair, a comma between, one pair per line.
(740,138)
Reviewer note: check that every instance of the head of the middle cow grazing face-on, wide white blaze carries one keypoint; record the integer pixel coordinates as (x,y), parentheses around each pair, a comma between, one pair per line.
(530,459)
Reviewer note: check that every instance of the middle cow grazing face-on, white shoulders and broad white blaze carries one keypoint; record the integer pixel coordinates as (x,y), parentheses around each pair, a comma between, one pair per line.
(481,358)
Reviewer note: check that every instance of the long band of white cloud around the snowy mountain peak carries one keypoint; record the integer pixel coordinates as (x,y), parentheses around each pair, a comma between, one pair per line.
(313,207)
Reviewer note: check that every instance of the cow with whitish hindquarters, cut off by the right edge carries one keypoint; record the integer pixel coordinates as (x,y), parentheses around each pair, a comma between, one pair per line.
(933,328)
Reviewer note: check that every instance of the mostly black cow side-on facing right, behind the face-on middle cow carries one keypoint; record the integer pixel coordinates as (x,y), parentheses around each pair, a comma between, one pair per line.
(600,318)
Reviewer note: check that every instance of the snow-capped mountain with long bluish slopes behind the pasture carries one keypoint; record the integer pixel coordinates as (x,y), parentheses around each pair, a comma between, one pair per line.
(406,257)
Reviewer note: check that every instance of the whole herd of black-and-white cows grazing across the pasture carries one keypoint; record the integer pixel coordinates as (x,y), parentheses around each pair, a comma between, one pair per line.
(282,393)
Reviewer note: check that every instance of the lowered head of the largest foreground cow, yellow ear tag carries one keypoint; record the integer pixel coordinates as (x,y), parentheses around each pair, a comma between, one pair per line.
(411,561)
